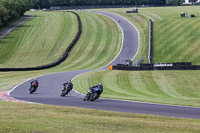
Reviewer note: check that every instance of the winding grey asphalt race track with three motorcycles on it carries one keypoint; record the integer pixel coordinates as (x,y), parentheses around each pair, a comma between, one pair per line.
(50,86)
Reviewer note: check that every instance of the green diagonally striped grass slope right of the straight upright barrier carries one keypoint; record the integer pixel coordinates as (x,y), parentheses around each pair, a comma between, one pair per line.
(176,39)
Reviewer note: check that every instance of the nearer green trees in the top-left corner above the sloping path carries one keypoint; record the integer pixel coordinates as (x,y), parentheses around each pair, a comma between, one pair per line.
(11,9)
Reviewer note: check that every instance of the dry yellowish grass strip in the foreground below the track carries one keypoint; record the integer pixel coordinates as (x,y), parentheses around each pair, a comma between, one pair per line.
(20,118)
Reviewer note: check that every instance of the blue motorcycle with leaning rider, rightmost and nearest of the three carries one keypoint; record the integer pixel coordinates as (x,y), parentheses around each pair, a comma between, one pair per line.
(93,94)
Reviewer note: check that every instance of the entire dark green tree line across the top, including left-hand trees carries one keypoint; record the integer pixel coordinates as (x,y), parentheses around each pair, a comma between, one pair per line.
(10,9)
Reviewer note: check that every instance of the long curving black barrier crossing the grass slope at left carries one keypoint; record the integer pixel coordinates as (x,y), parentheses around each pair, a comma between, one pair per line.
(57,62)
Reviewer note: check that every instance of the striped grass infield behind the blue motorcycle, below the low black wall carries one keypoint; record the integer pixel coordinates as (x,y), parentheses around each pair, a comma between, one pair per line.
(168,87)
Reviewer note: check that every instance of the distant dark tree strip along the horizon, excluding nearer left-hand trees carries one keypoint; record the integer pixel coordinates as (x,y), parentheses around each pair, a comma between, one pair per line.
(49,3)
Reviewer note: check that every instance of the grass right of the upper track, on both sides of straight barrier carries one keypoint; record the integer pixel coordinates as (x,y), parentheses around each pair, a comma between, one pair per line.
(176,39)
